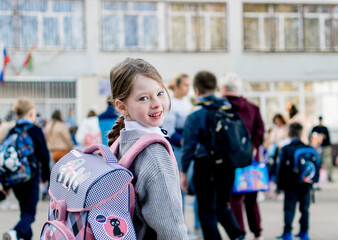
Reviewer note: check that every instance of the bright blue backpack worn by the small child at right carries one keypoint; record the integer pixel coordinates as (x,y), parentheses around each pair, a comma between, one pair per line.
(306,164)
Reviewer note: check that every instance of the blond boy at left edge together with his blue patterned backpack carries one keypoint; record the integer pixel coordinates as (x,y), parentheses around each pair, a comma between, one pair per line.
(27,192)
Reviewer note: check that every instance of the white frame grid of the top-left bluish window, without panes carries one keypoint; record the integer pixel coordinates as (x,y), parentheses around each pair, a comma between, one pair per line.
(40,15)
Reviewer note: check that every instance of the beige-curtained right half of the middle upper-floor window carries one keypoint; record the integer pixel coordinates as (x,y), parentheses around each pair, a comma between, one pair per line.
(197,26)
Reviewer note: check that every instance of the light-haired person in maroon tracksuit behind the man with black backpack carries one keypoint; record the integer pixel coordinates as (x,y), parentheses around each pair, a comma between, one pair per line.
(231,86)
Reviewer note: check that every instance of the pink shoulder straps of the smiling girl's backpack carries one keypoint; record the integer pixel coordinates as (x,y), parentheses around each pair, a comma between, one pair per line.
(143,142)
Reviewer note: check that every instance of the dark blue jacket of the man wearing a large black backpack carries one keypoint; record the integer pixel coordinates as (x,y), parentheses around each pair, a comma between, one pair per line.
(195,134)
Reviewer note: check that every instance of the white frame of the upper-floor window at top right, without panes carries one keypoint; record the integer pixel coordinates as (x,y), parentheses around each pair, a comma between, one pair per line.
(280,33)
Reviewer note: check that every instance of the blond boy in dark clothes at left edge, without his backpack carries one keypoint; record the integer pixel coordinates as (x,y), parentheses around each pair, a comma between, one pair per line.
(27,193)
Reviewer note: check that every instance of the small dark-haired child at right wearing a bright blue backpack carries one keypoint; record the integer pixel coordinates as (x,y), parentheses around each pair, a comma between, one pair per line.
(298,169)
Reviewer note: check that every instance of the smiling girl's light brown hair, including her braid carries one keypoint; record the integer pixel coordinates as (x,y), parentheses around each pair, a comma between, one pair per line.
(122,78)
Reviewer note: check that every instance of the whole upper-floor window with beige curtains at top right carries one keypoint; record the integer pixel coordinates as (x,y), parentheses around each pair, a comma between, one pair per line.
(290,27)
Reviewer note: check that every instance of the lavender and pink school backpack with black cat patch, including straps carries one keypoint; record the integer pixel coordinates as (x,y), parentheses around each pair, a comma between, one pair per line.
(92,197)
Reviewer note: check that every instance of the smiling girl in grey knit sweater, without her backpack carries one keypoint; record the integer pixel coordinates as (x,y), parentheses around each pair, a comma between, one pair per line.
(140,96)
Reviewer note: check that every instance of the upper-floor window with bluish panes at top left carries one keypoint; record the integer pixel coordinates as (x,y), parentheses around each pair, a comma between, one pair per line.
(45,23)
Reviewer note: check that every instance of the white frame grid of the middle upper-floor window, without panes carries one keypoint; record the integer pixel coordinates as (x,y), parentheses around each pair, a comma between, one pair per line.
(163,14)
